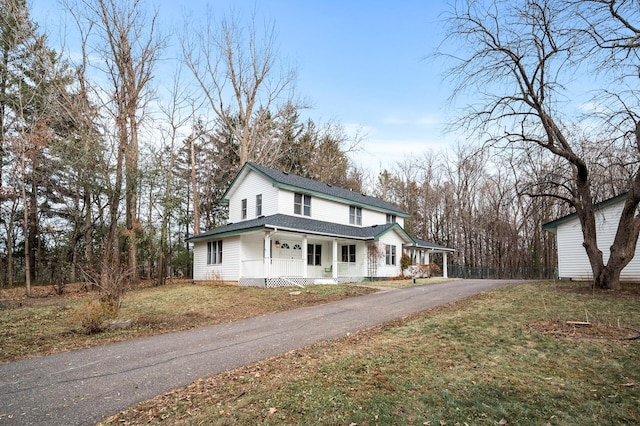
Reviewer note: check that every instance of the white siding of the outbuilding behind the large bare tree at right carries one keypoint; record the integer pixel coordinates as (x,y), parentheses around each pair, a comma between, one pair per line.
(572,257)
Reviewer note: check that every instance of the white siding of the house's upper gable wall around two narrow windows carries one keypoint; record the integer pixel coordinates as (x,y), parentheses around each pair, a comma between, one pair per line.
(252,185)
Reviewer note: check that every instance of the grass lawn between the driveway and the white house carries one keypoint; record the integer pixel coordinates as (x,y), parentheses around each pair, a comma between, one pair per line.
(41,326)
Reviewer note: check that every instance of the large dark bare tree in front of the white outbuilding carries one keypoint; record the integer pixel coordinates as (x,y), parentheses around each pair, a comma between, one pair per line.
(518,57)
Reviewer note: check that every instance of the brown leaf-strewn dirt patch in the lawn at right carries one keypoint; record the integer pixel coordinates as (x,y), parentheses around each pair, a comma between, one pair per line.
(581,330)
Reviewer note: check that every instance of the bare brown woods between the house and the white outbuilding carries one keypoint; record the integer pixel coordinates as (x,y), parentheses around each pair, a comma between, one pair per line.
(475,201)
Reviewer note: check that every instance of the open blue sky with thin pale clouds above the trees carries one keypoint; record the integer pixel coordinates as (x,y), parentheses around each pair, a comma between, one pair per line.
(364,64)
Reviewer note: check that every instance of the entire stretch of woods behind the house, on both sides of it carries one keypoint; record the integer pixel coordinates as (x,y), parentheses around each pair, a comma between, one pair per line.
(105,172)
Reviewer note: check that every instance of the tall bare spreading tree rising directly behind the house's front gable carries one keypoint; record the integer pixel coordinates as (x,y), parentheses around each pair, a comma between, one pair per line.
(237,70)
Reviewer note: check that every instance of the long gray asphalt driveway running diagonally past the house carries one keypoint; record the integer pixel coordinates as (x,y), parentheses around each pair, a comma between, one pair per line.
(80,387)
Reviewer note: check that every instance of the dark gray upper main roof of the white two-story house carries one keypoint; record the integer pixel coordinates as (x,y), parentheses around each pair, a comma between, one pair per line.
(294,182)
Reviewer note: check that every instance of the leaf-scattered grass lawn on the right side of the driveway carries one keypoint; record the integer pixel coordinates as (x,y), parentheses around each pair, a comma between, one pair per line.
(475,362)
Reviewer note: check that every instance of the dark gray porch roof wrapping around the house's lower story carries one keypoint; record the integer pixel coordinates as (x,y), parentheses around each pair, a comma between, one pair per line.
(305,226)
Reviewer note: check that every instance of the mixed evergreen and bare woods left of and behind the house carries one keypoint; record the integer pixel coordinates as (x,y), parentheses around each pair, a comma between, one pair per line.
(103,175)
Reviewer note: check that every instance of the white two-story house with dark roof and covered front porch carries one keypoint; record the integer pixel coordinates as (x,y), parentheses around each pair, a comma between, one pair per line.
(288,230)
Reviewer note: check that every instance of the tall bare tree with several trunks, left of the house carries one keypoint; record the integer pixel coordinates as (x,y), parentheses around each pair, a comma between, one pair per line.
(128,44)
